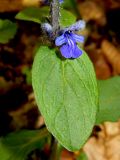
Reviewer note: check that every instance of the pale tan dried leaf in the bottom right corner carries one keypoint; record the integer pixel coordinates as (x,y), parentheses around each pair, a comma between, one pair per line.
(107,145)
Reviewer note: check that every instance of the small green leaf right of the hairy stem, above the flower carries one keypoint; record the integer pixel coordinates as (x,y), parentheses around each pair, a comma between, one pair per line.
(66,18)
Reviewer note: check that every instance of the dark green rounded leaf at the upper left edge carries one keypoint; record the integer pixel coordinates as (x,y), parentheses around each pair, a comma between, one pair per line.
(7,30)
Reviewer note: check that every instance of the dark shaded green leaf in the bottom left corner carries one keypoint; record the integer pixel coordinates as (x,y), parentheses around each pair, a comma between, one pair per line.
(16,146)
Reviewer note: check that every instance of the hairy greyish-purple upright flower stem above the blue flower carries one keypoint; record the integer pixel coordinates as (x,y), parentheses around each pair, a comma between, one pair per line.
(55,16)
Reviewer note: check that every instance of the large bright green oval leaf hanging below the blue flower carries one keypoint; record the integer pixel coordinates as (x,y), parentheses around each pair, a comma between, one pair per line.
(66,93)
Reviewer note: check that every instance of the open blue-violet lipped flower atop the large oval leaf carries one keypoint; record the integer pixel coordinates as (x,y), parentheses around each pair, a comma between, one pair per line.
(67,42)
